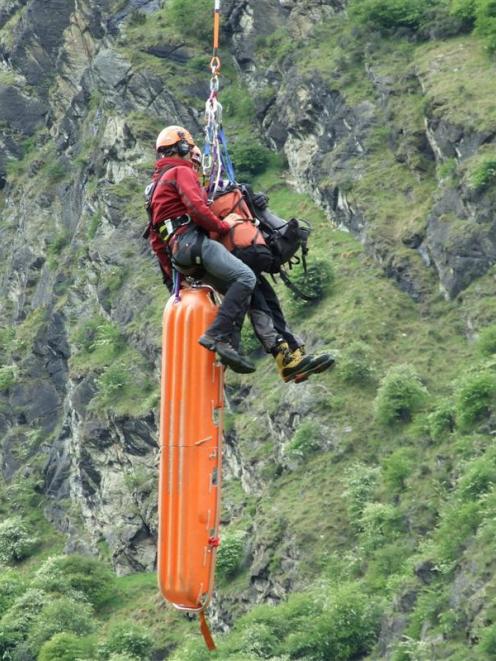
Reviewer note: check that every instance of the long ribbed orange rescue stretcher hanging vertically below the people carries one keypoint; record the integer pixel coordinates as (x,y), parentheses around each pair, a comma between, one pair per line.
(192,404)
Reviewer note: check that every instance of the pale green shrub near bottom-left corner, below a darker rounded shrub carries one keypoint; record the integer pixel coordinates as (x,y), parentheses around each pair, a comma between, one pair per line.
(63,614)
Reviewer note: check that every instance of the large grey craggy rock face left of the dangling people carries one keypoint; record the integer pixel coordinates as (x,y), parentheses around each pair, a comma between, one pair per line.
(57,267)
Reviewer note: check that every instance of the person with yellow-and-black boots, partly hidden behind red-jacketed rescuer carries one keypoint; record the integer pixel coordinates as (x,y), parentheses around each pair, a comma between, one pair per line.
(246,242)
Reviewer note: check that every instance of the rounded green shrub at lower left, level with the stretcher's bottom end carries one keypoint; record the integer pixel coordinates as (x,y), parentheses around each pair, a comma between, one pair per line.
(84,575)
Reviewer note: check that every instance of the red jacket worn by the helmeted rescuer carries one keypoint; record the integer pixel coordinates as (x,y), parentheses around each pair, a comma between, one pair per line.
(178,192)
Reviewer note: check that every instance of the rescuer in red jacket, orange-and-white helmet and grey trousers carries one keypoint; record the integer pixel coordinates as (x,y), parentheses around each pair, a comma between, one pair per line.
(180,221)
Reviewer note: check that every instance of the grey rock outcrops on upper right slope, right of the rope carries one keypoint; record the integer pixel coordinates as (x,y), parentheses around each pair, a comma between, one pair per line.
(324,138)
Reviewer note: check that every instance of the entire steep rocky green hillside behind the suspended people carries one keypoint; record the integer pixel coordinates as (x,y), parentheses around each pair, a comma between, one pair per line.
(358,507)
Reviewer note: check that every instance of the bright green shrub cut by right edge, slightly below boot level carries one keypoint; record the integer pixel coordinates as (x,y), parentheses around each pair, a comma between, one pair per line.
(474,398)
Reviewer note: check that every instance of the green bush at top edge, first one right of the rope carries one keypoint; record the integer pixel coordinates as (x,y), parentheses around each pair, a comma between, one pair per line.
(386,15)
